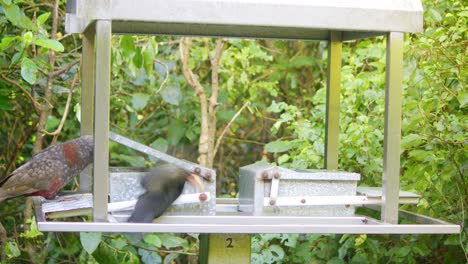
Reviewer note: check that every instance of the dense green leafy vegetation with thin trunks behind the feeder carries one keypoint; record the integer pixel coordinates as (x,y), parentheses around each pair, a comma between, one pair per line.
(261,100)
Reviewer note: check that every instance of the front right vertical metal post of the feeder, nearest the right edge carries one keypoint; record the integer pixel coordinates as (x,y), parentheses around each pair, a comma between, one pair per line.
(392,134)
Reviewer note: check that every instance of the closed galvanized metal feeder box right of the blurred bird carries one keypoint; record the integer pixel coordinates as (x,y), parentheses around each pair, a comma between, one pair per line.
(266,189)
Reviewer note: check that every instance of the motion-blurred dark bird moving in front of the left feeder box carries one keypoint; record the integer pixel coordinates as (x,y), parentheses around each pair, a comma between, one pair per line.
(163,185)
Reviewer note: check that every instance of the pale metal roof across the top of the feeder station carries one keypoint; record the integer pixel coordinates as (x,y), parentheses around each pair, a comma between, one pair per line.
(285,18)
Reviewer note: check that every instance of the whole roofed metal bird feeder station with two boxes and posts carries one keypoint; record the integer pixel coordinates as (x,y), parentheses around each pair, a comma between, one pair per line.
(272,199)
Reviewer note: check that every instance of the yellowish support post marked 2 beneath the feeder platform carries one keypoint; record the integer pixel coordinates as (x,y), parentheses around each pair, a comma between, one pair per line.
(225,248)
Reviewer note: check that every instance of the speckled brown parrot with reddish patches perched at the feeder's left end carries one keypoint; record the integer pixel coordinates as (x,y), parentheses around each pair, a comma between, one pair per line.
(49,170)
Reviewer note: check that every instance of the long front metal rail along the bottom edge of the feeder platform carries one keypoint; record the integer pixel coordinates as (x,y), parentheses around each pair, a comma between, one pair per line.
(248,229)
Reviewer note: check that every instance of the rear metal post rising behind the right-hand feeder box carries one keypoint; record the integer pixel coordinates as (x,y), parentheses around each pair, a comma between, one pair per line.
(332,122)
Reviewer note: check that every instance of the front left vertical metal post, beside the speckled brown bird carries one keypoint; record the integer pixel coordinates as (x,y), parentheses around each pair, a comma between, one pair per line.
(101,121)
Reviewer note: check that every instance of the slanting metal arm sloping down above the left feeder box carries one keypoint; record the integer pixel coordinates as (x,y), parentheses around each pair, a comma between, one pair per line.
(207,173)
